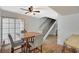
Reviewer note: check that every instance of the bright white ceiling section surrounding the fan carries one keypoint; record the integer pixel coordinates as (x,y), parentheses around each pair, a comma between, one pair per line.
(45,11)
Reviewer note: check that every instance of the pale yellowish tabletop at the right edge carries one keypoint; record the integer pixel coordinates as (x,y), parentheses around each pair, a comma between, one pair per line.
(73,41)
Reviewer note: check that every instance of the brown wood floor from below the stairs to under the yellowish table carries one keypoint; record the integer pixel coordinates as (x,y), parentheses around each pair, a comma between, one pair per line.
(50,46)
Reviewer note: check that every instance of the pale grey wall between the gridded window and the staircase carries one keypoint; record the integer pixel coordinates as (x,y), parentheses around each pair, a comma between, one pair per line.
(32,24)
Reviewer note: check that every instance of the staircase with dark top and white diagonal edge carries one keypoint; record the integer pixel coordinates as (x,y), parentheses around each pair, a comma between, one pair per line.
(47,26)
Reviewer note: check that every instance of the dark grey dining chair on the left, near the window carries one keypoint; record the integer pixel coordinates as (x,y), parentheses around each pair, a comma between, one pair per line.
(15,44)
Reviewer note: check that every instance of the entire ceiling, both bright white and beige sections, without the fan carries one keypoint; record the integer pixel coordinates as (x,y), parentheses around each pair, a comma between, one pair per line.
(45,11)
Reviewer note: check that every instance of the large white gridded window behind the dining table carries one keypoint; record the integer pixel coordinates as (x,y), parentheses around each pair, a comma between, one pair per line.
(12,26)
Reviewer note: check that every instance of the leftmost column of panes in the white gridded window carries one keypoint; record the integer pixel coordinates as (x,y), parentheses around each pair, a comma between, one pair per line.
(5,26)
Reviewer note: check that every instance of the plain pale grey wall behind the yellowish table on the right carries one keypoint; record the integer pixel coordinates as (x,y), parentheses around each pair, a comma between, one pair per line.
(67,25)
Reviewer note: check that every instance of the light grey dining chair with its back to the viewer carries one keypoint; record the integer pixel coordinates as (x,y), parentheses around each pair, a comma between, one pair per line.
(37,44)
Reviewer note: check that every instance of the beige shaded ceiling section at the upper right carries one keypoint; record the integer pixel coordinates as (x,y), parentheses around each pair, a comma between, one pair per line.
(66,10)
